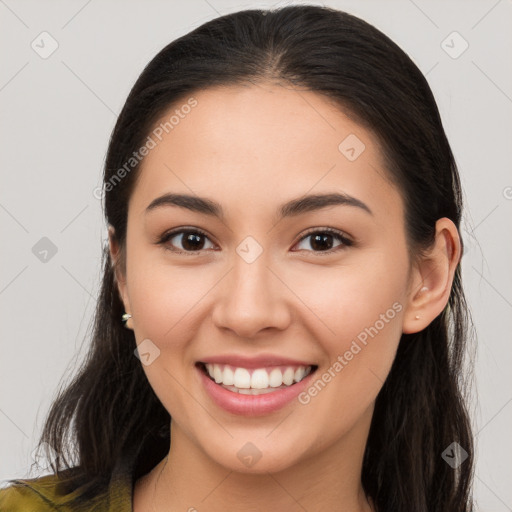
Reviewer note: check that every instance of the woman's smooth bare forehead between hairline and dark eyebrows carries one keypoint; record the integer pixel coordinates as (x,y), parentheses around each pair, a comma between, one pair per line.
(259,144)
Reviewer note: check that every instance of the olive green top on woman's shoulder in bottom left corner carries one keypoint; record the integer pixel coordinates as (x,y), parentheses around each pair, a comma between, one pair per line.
(48,493)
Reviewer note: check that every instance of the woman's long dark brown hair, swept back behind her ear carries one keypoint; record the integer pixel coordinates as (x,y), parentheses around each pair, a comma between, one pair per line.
(421,410)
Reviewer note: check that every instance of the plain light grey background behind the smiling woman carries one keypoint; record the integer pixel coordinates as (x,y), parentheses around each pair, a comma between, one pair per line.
(57,115)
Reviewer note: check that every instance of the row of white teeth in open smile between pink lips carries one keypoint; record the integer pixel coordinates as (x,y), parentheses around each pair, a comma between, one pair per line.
(255,381)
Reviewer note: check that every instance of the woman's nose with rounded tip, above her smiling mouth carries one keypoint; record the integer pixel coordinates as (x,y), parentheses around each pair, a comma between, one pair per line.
(251,298)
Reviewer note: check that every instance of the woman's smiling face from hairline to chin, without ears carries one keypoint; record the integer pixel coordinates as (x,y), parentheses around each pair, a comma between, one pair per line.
(323,284)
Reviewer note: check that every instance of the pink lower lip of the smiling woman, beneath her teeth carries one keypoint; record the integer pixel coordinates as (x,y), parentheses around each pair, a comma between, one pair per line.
(252,405)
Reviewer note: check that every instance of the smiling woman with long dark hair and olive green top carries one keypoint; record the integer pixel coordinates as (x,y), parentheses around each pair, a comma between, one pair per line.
(283,209)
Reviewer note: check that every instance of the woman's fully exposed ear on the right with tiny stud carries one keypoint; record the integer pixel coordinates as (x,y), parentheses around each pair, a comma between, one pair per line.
(432,277)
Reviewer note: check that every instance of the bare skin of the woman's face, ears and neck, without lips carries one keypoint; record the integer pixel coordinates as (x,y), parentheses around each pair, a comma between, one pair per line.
(252,148)
